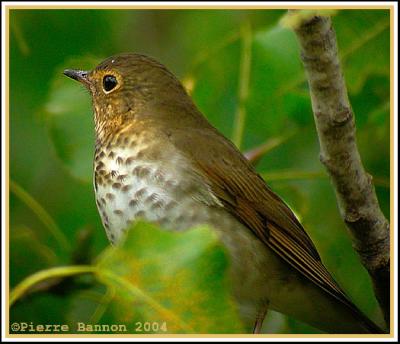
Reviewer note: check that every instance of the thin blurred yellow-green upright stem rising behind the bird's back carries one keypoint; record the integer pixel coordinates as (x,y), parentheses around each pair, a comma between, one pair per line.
(243,89)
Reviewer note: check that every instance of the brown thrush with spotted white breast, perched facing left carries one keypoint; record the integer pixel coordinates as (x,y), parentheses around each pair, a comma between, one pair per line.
(157,158)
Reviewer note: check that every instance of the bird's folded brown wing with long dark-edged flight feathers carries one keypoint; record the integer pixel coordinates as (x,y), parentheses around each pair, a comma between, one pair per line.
(247,197)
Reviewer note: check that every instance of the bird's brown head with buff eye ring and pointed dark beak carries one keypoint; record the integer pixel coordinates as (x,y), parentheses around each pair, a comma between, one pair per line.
(128,86)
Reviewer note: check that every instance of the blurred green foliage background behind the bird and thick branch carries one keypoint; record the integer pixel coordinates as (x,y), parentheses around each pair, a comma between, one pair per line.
(53,216)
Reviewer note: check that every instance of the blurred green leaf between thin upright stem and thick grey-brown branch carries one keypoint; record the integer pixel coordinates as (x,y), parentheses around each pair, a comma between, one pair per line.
(274,99)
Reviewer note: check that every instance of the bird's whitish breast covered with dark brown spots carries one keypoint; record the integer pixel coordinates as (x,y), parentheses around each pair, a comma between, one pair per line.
(133,181)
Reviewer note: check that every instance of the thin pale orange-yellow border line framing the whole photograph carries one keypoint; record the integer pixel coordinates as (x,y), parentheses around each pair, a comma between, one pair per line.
(208,7)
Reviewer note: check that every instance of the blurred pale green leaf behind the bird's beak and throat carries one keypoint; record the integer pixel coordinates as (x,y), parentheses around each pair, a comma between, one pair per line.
(70,120)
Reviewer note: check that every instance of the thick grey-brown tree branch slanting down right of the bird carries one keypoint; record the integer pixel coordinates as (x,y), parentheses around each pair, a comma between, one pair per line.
(335,125)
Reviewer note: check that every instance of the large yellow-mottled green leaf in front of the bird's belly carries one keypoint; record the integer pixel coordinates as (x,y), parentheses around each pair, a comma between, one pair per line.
(177,278)
